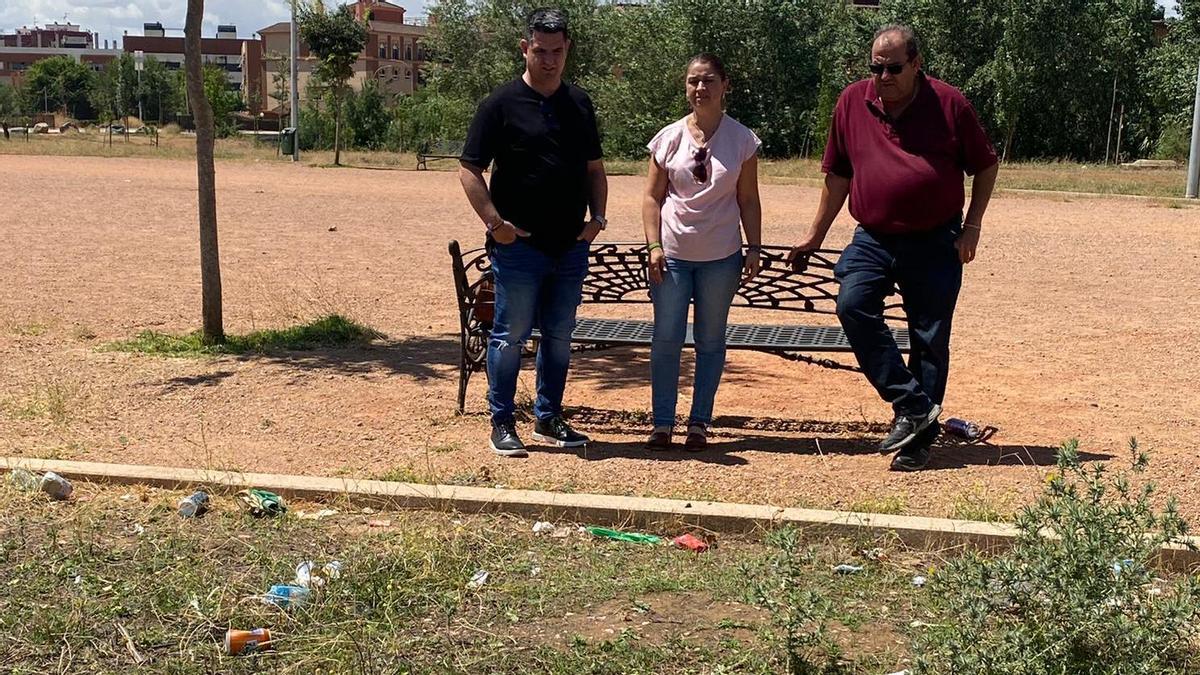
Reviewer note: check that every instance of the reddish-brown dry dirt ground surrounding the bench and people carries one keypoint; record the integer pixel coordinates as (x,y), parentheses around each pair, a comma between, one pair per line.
(1079,320)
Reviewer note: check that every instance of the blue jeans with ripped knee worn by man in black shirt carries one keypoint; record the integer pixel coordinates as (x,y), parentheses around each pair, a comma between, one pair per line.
(533,289)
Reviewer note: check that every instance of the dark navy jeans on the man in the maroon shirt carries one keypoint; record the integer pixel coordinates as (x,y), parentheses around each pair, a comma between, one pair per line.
(929,274)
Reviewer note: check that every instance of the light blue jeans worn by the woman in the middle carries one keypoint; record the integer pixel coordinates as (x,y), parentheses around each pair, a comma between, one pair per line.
(712,285)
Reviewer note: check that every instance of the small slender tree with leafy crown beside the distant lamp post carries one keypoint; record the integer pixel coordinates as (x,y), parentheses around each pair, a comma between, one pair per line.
(337,39)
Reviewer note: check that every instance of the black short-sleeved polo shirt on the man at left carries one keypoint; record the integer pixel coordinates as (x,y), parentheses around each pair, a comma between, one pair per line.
(542,148)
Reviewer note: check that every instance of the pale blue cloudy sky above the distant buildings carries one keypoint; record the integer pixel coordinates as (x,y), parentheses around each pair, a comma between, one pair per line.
(112,17)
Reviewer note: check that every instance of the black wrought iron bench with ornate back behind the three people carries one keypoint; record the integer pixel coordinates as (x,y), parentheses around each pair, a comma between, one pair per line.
(617,274)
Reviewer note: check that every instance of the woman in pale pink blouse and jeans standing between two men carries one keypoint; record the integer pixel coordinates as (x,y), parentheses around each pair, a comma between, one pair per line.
(701,194)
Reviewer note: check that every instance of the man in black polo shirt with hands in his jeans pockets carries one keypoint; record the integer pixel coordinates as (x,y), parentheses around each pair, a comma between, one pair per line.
(542,135)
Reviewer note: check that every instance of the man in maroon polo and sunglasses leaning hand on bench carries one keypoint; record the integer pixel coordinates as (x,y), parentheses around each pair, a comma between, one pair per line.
(899,145)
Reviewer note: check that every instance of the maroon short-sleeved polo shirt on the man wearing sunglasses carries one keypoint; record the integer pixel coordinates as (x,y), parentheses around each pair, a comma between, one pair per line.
(907,174)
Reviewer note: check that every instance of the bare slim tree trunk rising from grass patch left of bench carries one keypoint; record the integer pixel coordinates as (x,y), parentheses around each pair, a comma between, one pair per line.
(202,112)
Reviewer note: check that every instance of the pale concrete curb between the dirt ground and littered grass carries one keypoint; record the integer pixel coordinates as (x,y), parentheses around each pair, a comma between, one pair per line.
(597,510)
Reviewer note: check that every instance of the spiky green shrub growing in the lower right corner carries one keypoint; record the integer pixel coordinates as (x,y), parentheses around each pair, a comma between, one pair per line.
(1078,593)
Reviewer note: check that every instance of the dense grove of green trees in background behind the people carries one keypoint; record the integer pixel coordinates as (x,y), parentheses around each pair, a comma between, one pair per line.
(1051,79)
